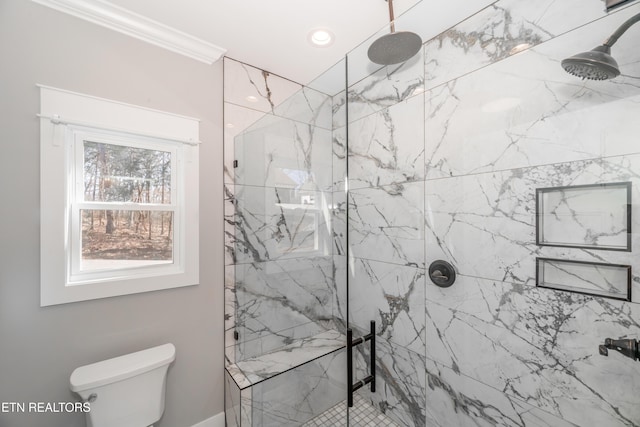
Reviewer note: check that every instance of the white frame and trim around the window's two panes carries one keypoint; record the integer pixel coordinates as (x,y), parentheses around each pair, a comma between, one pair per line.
(67,119)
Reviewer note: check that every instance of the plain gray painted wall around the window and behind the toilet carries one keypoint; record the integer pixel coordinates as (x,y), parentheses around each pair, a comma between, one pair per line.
(40,347)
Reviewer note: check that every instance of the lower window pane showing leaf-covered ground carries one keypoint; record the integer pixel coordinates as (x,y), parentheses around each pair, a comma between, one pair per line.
(125,238)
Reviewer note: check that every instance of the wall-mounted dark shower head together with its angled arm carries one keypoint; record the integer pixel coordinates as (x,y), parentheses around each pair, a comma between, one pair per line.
(598,64)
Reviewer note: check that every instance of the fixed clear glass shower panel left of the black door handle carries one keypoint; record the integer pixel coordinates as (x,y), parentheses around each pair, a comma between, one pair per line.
(285,269)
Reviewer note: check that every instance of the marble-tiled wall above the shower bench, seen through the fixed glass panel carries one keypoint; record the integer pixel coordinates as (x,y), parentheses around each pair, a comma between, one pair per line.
(278,211)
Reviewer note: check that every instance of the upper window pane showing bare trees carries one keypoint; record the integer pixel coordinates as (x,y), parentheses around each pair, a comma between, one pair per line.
(116,173)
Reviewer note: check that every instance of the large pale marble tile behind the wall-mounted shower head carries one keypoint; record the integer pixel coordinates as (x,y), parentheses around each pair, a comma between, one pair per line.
(526,111)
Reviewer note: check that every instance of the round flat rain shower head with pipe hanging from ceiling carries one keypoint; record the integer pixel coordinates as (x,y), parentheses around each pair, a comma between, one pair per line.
(395,47)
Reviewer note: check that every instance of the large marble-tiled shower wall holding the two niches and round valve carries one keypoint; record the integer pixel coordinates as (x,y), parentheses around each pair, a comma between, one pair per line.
(491,115)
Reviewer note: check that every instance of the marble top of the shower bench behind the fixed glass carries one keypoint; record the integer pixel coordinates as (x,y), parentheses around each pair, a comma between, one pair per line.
(249,372)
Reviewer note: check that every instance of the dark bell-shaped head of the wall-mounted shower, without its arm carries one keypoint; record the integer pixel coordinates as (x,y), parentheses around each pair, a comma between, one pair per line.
(597,64)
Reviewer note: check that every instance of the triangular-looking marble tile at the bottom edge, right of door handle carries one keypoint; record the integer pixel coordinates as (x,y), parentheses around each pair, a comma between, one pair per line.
(454,399)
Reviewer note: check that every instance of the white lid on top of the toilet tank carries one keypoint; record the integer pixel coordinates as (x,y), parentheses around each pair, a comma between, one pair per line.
(122,367)
